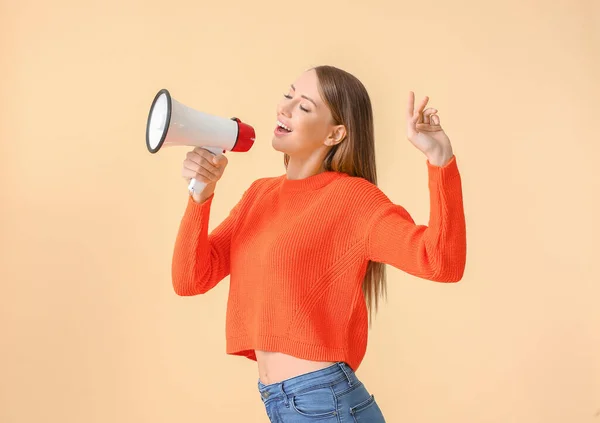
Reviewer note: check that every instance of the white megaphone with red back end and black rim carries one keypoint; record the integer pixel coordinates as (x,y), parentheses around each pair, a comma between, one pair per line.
(172,123)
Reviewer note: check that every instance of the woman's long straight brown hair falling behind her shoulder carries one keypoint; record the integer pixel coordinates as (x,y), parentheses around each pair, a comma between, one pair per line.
(350,105)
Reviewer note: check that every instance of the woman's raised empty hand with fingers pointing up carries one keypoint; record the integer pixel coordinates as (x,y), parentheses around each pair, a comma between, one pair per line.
(425,133)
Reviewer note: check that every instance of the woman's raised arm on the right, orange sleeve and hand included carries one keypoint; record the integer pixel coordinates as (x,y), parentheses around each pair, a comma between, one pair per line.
(438,251)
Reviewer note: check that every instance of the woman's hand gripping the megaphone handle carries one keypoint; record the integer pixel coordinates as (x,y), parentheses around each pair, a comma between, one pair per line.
(203,166)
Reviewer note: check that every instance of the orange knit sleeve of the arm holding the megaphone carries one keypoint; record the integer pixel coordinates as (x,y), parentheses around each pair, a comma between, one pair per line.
(201,260)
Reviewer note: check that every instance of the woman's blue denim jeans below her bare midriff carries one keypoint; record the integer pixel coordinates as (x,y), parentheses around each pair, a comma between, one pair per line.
(330,395)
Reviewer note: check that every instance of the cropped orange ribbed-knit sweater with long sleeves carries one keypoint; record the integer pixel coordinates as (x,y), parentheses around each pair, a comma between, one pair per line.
(297,251)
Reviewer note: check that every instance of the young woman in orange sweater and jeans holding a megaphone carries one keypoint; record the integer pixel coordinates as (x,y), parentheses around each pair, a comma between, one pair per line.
(306,251)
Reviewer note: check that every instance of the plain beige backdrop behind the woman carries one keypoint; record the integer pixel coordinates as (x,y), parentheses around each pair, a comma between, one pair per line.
(91,330)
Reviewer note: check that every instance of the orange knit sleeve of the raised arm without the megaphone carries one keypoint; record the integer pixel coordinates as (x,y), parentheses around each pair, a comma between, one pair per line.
(435,252)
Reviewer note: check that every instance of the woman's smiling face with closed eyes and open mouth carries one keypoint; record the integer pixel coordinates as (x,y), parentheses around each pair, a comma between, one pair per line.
(304,122)
